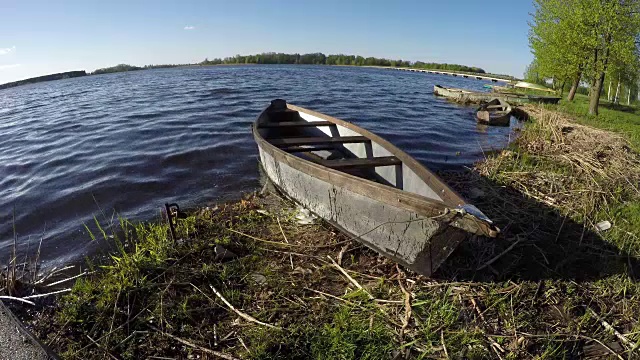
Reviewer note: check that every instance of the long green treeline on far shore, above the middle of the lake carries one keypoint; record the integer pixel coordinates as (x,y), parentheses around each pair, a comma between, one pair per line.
(340,59)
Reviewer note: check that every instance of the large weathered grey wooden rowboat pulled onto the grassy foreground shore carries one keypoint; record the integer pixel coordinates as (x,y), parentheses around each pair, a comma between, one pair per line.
(365,186)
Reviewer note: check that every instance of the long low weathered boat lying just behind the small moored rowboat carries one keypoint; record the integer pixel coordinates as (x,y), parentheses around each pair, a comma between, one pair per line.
(478,97)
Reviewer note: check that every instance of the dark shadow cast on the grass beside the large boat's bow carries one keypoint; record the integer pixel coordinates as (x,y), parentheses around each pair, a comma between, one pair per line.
(536,242)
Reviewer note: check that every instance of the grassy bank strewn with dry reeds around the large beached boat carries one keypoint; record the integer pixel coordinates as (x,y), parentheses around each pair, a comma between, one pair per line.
(551,286)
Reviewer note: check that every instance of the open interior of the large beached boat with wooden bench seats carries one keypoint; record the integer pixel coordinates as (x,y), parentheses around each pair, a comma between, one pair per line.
(338,147)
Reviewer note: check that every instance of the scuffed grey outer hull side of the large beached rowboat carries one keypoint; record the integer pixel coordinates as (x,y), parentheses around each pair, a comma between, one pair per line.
(408,237)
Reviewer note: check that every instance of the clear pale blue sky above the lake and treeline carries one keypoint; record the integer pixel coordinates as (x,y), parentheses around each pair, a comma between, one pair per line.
(42,37)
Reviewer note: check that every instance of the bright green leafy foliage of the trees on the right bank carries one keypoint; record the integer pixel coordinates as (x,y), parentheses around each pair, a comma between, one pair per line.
(586,40)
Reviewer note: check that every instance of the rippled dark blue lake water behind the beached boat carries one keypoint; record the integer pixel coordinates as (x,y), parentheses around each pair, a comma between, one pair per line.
(129,142)
